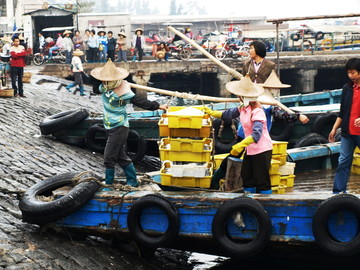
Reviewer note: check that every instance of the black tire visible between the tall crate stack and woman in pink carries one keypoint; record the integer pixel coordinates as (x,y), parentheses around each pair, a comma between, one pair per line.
(222,146)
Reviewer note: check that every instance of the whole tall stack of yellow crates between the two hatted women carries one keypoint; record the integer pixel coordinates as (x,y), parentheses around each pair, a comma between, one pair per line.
(186,149)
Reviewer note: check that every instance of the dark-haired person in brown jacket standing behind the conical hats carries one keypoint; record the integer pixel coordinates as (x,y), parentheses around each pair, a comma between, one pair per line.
(257,66)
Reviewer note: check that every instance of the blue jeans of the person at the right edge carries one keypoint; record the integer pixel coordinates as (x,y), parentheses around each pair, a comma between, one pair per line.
(347,148)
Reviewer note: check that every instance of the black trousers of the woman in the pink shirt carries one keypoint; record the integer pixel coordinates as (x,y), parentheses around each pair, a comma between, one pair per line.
(255,171)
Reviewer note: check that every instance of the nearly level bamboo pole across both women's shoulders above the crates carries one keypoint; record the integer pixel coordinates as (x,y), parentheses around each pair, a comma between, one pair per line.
(191,96)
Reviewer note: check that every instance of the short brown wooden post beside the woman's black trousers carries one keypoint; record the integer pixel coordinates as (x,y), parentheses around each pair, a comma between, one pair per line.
(233,178)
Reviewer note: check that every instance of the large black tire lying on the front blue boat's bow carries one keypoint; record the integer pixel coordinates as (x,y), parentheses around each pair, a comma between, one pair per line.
(40,212)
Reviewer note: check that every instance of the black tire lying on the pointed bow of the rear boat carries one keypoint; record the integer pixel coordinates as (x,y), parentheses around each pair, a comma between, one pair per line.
(62,121)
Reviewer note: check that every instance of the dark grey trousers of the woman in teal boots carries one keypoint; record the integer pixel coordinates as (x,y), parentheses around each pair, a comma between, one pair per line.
(115,149)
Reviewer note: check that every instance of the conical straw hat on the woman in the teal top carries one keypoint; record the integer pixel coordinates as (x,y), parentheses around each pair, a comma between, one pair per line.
(109,72)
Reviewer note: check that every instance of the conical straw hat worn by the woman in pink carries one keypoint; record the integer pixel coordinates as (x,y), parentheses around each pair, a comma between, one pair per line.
(245,87)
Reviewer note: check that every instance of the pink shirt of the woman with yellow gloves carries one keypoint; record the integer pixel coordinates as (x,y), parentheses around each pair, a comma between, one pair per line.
(247,118)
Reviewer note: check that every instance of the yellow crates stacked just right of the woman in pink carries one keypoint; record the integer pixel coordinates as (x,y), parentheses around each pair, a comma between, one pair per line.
(281,172)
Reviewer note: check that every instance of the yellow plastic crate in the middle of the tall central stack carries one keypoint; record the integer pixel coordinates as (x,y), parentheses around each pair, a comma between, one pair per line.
(187,150)
